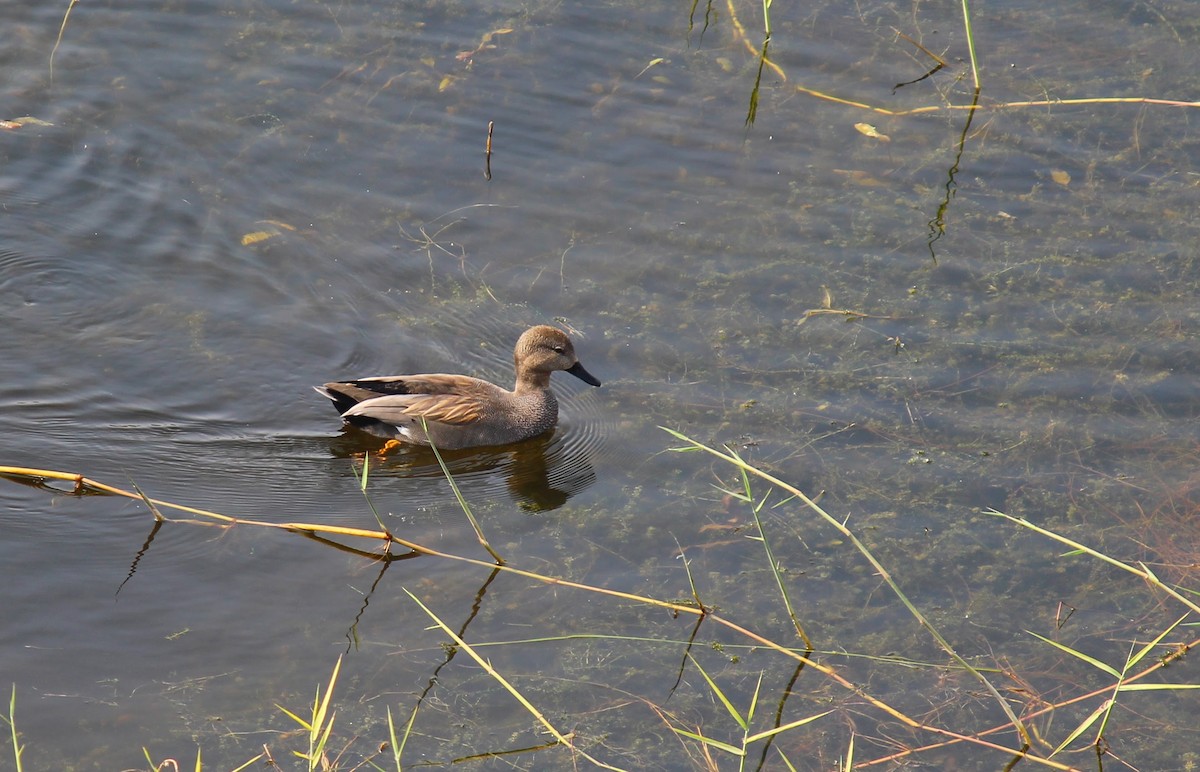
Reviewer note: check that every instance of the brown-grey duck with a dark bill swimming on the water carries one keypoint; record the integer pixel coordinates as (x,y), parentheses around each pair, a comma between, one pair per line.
(460,411)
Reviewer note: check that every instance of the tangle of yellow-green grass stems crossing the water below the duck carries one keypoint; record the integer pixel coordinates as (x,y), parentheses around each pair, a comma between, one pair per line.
(319,726)
